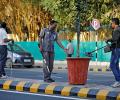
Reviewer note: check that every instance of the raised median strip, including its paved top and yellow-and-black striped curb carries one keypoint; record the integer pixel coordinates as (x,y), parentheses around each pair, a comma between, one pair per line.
(100,92)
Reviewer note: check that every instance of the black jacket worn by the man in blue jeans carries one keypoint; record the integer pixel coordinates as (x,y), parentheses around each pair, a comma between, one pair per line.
(115,38)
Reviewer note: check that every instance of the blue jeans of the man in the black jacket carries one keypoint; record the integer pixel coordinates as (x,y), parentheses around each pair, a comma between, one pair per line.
(114,63)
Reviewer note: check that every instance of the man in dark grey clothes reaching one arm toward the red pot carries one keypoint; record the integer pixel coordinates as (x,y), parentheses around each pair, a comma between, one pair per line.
(47,38)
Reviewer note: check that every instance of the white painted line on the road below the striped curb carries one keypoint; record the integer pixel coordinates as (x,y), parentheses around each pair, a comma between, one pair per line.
(44,95)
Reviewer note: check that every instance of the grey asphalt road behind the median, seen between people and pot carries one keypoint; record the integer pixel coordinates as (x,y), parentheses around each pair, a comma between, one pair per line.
(99,78)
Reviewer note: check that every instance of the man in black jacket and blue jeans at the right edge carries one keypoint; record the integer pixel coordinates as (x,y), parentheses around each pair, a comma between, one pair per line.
(115,56)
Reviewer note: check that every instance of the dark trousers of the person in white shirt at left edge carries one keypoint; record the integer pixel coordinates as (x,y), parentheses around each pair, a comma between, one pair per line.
(3,58)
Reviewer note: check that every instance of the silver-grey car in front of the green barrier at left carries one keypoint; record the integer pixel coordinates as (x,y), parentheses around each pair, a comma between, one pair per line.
(17,56)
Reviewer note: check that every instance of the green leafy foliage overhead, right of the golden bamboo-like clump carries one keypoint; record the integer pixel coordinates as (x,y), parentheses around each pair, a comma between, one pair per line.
(64,11)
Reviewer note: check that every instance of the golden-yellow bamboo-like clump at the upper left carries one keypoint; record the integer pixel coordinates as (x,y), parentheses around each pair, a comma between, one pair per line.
(24,18)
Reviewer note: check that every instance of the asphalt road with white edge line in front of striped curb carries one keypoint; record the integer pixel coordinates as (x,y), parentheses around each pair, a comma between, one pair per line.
(12,95)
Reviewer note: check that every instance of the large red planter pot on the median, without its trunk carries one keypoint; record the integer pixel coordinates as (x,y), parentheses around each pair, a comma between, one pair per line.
(77,70)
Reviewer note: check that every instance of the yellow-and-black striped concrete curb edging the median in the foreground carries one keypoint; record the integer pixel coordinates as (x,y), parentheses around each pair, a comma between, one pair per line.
(53,88)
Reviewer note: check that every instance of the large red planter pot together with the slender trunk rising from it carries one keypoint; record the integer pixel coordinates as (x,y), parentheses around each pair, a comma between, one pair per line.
(78,67)
